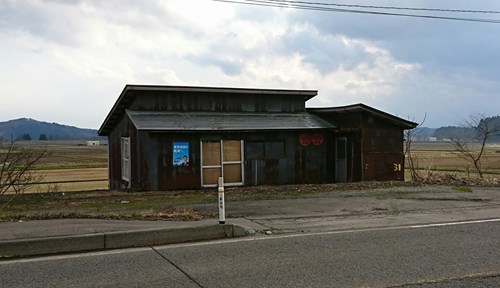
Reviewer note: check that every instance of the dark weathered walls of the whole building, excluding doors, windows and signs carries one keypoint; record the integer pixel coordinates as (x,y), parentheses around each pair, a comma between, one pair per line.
(374,148)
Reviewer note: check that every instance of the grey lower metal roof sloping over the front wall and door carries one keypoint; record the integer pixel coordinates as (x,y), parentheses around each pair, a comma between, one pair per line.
(215,121)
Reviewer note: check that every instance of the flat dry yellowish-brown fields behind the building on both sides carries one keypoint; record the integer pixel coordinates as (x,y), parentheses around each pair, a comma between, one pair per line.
(74,166)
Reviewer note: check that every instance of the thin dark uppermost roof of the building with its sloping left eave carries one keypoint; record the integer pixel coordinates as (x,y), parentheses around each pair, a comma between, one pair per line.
(131,91)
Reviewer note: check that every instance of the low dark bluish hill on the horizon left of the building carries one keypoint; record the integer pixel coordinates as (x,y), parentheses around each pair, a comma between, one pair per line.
(30,129)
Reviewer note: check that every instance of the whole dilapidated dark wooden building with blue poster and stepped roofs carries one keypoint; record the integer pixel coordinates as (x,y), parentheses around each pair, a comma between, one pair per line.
(178,137)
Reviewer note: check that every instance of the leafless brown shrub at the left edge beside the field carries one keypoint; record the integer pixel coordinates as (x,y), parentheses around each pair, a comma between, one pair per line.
(16,168)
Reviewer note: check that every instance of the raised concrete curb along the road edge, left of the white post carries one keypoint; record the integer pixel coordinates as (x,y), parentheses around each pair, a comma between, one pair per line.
(118,239)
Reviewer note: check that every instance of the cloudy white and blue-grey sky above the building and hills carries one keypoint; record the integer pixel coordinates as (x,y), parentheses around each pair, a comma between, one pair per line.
(67,61)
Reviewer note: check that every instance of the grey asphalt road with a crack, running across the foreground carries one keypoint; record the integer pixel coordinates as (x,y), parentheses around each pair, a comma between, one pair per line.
(455,255)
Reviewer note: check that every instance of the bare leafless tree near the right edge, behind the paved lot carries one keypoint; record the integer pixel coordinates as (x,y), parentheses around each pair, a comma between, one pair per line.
(485,127)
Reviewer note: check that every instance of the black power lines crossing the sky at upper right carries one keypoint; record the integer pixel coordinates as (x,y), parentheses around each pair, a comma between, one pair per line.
(292,5)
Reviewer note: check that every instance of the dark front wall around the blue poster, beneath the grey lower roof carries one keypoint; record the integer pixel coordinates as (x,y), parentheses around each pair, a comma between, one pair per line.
(298,164)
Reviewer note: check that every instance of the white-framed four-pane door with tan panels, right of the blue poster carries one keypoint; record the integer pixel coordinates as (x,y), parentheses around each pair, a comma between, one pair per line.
(222,158)
